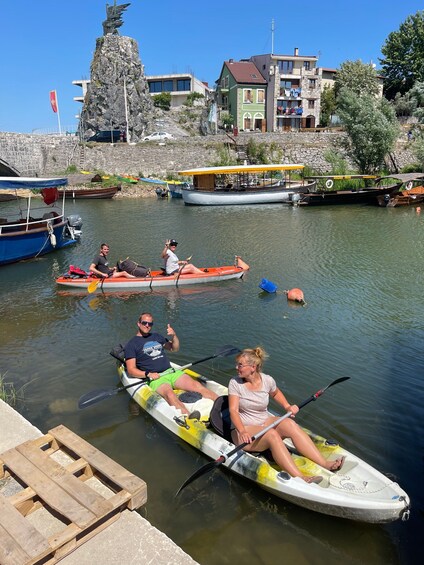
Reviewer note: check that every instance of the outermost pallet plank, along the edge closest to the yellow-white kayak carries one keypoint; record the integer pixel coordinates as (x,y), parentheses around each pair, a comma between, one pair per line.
(102,463)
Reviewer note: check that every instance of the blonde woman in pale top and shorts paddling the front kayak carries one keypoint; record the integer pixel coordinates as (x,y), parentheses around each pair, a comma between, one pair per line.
(248,396)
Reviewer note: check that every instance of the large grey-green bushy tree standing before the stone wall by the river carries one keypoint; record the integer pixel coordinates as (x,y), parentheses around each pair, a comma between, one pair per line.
(371,127)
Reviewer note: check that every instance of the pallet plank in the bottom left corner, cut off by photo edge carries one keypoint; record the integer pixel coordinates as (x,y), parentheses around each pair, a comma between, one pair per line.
(20,537)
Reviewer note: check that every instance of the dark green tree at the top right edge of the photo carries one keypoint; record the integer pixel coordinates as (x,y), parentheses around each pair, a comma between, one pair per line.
(403,61)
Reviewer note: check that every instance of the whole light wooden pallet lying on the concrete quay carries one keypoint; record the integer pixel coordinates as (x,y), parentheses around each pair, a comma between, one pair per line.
(80,488)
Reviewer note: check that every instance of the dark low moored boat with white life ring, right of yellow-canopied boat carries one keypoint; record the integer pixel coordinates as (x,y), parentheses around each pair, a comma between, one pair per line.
(327,196)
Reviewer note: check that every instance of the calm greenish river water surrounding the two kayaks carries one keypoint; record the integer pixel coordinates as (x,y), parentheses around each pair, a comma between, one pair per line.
(361,271)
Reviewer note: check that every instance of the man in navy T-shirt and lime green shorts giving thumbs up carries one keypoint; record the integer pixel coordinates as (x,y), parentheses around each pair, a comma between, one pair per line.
(145,358)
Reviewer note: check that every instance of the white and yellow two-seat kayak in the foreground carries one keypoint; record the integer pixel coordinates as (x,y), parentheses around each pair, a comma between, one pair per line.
(357,492)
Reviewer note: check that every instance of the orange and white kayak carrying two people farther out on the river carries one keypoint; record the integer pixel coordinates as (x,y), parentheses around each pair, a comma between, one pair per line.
(158,279)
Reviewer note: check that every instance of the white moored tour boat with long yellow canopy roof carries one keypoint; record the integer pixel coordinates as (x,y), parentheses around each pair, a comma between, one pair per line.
(243,184)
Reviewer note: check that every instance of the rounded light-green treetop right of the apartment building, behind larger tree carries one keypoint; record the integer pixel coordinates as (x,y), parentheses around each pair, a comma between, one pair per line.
(358,77)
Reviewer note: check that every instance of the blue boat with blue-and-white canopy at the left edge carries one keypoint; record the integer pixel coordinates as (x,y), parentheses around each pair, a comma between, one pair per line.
(41,226)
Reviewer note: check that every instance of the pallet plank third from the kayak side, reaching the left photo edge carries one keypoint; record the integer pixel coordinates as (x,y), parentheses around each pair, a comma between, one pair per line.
(50,492)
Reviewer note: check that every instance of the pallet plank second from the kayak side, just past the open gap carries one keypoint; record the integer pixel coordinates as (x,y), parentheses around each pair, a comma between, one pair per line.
(85,495)
